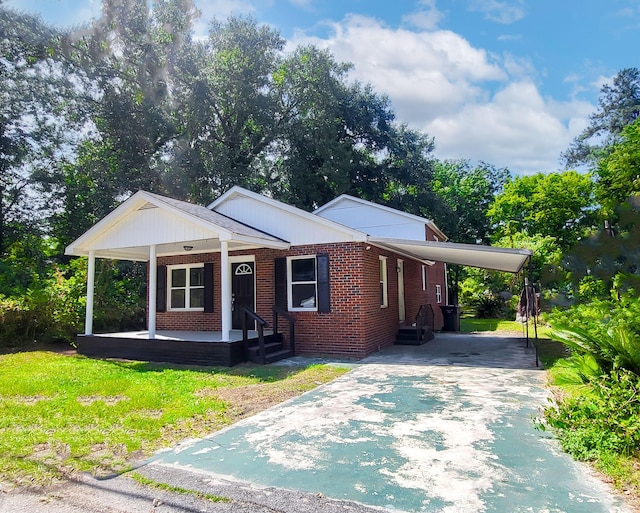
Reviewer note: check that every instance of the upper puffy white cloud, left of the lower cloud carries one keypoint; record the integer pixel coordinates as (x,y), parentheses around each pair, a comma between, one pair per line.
(426,72)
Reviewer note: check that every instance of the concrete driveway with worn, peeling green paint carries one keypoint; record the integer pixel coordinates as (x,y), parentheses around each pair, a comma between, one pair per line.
(445,427)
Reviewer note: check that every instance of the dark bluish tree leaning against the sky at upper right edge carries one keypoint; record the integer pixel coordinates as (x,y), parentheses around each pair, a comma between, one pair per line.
(618,106)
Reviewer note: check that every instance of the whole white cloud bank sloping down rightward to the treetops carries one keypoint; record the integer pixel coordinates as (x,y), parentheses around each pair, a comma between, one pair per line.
(477,105)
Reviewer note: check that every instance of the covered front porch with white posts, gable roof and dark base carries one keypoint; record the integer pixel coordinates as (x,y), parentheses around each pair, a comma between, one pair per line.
(146,228)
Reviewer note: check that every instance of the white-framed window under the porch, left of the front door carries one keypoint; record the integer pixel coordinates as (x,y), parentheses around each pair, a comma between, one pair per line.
(186,287)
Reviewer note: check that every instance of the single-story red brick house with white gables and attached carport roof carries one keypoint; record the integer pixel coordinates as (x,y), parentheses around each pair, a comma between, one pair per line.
(346,280)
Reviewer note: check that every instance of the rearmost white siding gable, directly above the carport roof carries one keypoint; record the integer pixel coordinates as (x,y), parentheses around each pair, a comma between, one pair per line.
(375,221)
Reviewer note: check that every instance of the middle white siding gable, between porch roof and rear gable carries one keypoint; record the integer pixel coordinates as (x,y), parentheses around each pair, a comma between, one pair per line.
(283,221)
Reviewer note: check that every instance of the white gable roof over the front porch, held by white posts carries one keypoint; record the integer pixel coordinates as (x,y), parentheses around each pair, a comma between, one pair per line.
(174,224)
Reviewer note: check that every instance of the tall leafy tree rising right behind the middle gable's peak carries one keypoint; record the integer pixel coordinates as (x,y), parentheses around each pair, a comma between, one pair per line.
(235,109)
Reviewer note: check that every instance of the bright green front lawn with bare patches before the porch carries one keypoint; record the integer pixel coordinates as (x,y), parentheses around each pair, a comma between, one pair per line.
(61,413)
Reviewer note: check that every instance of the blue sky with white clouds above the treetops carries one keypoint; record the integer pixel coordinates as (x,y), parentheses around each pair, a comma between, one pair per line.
(509,82)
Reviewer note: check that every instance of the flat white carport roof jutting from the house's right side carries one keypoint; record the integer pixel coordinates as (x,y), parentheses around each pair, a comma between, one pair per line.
(485,257)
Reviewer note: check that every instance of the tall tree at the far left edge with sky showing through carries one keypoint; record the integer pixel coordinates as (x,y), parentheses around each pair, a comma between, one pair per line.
(32,100)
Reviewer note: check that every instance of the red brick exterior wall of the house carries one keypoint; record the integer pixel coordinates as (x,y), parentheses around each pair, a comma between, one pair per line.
(356,325)
